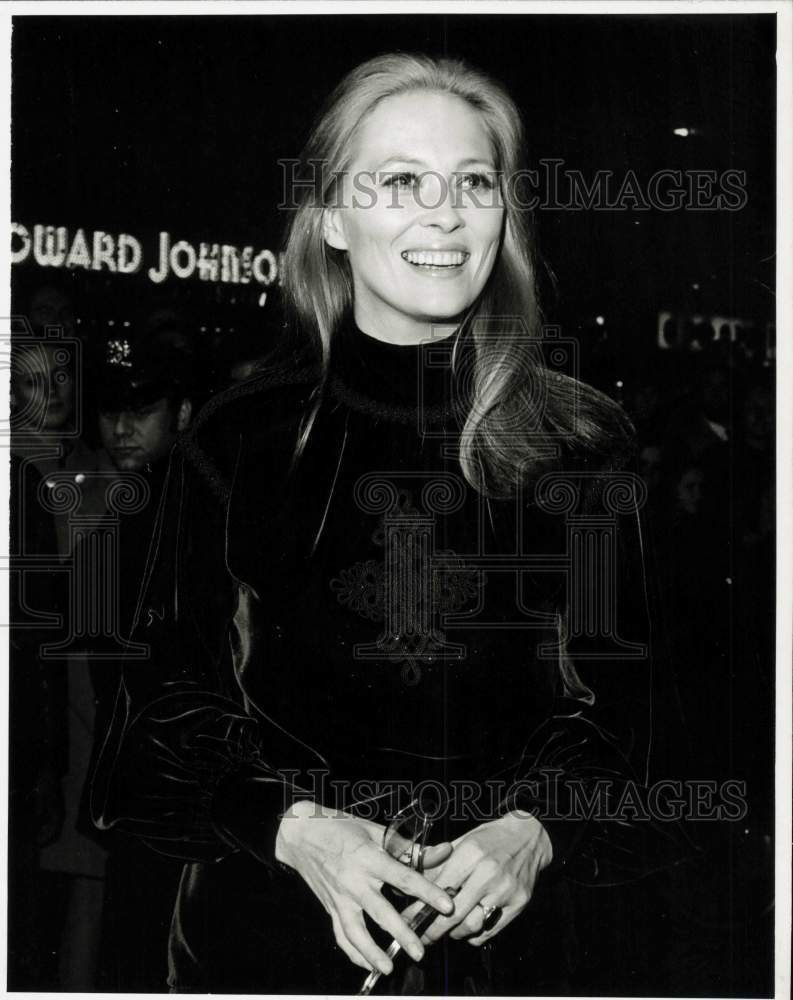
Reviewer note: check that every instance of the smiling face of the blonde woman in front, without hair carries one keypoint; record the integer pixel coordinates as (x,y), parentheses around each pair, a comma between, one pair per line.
(419,214)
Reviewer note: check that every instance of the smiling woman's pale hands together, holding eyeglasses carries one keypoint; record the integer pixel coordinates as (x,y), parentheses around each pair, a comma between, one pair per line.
(342,860)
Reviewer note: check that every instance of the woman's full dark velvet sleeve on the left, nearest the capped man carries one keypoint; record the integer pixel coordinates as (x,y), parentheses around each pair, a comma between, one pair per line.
(185,764)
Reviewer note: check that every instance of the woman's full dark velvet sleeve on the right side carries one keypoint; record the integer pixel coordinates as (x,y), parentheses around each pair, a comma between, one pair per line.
(587,769)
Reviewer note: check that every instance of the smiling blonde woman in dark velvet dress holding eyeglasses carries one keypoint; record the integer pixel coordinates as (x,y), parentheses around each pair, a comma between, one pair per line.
(357,589)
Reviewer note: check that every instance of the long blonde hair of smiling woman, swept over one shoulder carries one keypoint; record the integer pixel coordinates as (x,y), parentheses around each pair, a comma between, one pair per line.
(517,409)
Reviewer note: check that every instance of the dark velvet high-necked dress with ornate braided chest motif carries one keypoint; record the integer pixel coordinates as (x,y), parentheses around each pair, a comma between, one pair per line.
(356,623)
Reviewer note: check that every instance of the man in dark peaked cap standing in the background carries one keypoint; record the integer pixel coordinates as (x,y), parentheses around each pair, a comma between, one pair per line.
(146,389)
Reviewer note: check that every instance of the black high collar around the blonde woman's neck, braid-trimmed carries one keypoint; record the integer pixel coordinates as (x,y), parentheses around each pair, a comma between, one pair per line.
(393,381)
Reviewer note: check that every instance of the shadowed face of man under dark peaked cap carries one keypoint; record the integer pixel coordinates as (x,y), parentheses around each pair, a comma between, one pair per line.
(135,438)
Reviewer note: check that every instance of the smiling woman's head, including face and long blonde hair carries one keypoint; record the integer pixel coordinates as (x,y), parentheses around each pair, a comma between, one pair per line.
(435,144)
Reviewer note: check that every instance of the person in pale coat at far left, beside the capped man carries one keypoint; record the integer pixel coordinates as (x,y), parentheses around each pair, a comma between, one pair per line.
(45,414)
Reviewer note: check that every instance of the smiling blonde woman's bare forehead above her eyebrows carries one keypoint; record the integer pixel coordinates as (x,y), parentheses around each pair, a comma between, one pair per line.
(425,127)
